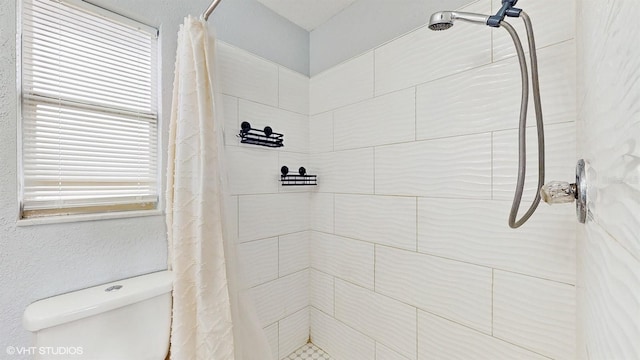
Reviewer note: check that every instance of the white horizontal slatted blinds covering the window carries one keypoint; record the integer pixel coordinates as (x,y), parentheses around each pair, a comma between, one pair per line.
(89,110)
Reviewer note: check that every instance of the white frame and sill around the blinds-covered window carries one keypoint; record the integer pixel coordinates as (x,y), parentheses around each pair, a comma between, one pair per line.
(62,217)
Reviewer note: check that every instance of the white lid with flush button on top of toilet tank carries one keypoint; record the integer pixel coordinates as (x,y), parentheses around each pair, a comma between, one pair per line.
(83,303)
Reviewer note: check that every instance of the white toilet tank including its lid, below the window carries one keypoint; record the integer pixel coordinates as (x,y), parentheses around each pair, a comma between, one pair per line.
(124,320)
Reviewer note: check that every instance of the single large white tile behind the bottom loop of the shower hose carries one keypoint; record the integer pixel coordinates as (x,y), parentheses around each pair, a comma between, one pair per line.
(476,231)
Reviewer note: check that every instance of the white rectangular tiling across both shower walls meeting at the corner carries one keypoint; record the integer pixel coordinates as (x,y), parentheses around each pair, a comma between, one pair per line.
(402,251)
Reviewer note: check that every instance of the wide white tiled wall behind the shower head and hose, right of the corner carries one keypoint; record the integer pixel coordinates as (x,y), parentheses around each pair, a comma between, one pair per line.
(415,147)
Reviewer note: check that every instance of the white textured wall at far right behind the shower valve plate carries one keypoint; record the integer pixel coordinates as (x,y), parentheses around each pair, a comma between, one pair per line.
(609,131)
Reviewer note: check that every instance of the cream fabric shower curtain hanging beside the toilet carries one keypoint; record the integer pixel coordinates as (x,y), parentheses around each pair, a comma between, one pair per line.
(212,314)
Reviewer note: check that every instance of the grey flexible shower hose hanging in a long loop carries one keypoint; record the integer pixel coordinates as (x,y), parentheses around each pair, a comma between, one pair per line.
(522,132)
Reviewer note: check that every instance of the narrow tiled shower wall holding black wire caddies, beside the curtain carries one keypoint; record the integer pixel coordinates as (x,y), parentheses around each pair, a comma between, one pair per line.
(271,223)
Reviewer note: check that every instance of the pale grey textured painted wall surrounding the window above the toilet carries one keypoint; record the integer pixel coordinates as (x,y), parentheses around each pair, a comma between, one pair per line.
(45,260)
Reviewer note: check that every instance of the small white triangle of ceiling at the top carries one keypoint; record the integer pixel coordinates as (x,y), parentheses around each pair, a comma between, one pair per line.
(308,14)
